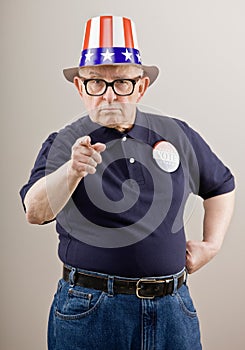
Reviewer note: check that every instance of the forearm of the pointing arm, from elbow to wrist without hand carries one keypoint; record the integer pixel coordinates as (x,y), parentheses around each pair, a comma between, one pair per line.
(49,195)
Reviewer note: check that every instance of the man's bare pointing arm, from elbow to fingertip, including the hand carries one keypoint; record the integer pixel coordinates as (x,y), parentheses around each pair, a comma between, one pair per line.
(50,194)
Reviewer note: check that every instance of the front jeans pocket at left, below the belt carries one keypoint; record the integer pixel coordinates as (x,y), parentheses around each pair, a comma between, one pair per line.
(77,302)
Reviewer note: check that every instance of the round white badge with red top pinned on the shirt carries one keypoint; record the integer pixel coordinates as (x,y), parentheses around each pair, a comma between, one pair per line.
(166,156)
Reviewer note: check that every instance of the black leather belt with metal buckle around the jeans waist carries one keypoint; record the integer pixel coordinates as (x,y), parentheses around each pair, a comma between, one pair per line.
(143,287)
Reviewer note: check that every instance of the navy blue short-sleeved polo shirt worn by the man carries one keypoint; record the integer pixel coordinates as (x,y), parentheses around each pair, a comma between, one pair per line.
(127,218)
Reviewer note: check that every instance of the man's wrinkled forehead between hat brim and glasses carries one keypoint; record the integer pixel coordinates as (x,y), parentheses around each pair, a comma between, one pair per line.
(113,71)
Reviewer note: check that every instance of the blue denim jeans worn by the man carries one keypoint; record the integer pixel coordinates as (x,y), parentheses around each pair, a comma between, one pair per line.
(88,319)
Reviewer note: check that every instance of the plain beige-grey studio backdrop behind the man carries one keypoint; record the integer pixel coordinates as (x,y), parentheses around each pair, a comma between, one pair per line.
(200,49)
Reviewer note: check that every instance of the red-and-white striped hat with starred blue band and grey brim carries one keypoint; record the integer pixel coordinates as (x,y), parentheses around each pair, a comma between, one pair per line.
(110,40)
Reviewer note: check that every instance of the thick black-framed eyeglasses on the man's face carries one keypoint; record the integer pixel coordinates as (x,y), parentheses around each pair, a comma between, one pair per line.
(121,87)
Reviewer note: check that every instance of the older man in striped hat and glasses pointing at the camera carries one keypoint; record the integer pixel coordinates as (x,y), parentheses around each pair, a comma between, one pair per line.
(116,182)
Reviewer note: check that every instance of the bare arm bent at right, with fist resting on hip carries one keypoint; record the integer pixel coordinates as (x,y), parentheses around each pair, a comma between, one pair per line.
(218,213)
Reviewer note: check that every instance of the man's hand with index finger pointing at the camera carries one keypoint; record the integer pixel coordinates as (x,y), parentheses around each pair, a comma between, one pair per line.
(85,157)
